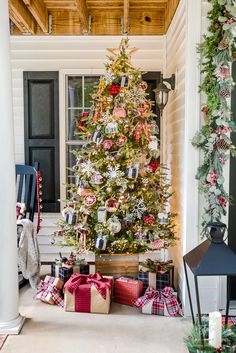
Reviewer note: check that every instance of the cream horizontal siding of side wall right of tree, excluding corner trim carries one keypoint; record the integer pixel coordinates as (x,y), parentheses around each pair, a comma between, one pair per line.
(174,120)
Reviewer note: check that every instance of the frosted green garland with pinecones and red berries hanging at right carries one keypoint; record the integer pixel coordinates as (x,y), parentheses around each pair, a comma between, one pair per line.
(217,54)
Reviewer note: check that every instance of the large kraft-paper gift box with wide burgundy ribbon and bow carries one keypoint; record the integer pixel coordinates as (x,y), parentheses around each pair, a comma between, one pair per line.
(88,293)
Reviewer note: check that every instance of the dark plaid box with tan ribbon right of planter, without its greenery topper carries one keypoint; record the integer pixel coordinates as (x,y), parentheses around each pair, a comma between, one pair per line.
(156,280)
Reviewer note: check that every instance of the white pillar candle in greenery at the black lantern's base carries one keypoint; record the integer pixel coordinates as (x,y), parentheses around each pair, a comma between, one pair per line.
(215,329)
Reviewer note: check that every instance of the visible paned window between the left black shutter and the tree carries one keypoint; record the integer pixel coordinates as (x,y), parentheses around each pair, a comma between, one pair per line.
(78,100)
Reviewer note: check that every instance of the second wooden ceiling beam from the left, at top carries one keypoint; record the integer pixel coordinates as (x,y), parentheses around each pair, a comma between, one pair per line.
(39,12)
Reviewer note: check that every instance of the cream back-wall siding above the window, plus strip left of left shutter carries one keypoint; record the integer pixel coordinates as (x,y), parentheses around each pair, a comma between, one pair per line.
(48,53)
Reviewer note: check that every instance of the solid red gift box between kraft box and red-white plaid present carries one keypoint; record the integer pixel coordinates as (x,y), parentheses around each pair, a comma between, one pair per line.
(127,290)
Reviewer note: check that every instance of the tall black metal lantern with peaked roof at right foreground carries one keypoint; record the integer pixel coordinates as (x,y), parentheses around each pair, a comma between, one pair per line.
(211,258)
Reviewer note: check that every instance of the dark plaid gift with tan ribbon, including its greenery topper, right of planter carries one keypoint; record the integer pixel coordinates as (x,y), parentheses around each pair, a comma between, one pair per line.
(156,274)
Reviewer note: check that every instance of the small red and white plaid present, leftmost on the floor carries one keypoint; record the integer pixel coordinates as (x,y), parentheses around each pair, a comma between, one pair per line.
(49,291)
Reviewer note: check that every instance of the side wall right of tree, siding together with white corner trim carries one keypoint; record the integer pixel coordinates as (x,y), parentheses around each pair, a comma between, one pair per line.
(181,121)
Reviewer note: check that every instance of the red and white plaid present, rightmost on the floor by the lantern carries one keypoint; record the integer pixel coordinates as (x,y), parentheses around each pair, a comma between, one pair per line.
(155,302)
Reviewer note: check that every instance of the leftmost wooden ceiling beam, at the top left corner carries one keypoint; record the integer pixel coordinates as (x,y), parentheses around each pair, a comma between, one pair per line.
(21,17)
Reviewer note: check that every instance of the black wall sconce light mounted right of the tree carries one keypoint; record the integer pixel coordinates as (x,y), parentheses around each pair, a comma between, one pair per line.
(162,91)
